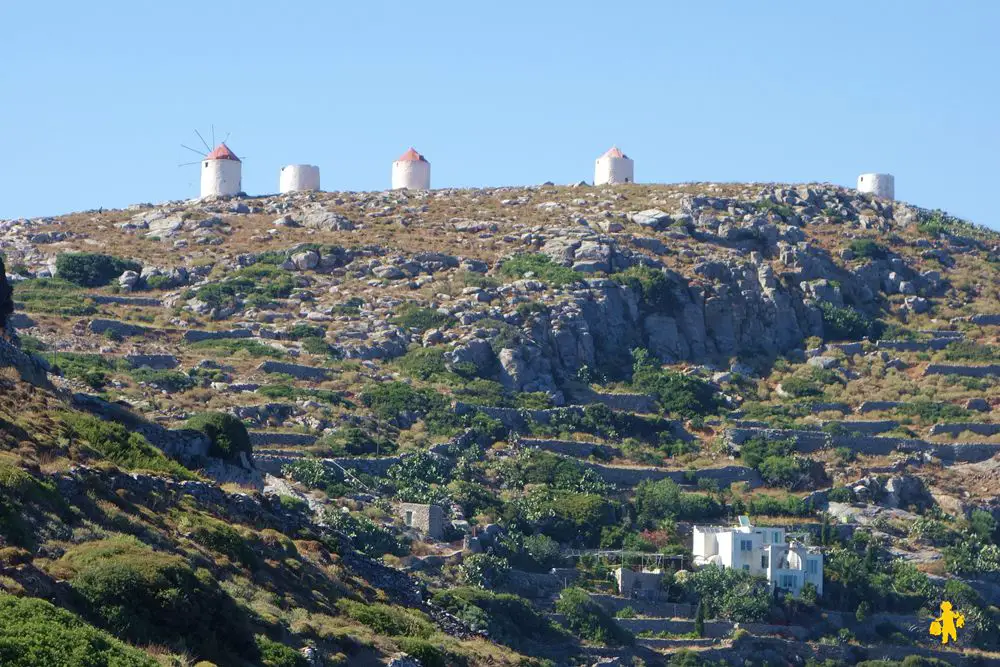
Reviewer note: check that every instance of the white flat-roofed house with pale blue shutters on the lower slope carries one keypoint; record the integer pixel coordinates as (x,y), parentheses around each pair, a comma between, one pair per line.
(760,551)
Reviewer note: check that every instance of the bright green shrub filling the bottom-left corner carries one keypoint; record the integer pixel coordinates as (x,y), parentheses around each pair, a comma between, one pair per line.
(34,632)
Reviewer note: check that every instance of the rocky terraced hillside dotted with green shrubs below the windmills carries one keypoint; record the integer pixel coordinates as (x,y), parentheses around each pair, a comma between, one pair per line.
(216,409)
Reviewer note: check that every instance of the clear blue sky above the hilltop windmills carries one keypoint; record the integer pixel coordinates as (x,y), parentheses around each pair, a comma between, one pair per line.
(95,97)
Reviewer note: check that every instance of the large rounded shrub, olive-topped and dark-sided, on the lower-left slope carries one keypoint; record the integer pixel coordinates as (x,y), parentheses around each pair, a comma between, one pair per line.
(149,596)
